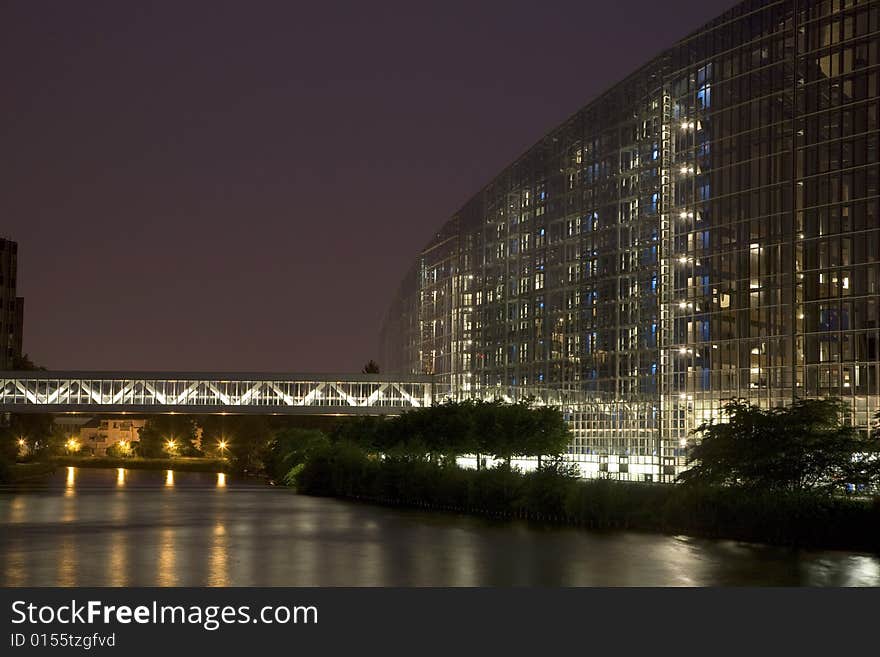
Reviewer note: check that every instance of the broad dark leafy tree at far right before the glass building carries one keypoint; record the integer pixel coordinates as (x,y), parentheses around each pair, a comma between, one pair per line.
(806,446)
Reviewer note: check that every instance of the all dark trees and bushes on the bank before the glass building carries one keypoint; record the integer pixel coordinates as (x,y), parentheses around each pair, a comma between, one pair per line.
(774,476)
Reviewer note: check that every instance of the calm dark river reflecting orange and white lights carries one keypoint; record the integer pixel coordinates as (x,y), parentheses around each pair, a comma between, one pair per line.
(143,528)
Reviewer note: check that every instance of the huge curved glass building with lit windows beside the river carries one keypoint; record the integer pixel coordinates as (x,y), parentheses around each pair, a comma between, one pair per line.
(706,229)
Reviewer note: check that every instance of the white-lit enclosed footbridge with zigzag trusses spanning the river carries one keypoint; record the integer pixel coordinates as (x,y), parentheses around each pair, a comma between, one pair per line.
(212,393)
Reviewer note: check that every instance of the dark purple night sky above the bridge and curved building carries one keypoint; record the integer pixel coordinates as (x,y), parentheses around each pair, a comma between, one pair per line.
(241,186)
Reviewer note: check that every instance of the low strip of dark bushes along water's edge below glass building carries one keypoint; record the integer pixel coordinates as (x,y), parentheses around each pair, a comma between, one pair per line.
(794,519)
